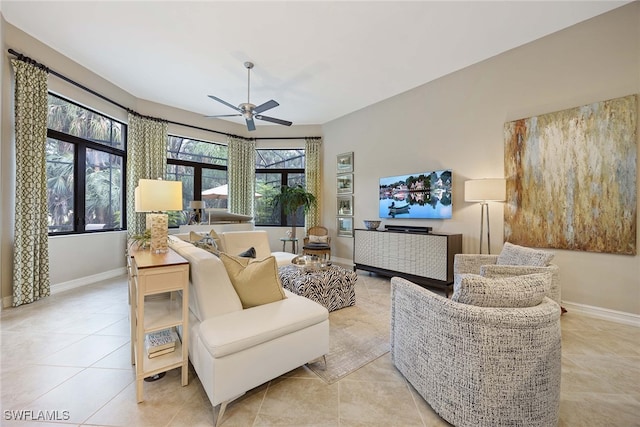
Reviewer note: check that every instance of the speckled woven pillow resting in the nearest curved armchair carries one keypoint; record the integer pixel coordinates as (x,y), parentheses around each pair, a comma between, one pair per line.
(518,291)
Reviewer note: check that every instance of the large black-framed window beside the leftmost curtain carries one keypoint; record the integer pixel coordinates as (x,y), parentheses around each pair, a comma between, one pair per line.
(85,158)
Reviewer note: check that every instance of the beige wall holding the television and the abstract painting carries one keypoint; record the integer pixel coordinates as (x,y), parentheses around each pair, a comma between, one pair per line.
(457,122)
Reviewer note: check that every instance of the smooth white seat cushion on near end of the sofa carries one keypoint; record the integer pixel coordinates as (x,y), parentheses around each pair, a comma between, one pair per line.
(234,332)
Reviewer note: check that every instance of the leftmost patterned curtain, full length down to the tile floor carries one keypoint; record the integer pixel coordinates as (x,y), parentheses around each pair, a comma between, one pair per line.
(31,245)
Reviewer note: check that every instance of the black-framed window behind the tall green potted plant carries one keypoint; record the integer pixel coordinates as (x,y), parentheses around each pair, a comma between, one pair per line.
(274,169)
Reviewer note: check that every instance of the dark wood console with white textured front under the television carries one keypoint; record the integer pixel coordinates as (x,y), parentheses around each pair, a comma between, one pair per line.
(423,258)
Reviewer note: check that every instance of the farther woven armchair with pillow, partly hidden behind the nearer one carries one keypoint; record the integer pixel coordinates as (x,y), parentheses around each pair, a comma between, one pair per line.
(514,260)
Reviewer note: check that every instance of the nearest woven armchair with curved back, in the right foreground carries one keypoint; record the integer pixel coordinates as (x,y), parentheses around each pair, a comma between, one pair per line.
(478,366)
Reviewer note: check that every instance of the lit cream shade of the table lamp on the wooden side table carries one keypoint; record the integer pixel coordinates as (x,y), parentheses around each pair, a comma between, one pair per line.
(155,195)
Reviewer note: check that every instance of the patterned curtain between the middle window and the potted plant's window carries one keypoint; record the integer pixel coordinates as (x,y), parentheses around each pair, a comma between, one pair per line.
(241,175)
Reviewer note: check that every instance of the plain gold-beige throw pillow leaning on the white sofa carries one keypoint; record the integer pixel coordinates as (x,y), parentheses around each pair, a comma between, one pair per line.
(256,281)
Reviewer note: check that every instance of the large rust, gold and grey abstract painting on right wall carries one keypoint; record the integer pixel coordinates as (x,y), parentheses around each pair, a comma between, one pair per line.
(571,178)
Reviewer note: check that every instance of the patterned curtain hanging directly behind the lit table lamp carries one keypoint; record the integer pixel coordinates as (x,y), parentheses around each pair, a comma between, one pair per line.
(146,159)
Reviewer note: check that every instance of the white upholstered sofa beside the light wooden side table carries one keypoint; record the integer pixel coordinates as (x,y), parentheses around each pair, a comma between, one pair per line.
(233,349)
